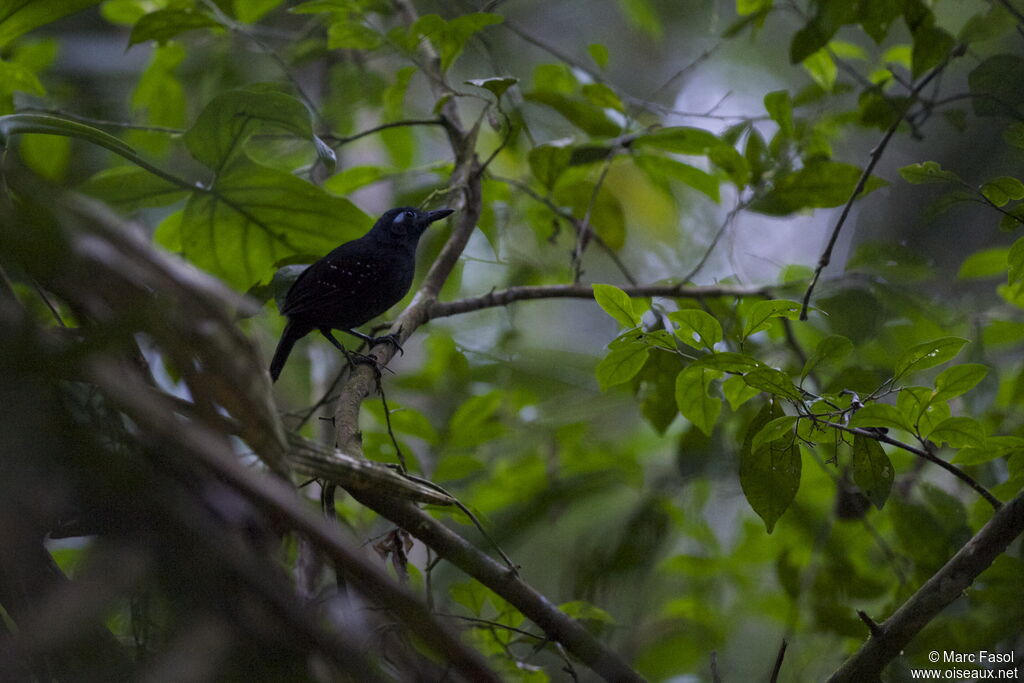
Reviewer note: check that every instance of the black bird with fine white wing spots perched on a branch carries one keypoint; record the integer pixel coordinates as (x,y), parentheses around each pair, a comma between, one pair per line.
(356,283)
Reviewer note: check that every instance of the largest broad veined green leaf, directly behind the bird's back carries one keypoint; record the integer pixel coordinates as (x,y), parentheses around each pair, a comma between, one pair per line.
(254,217)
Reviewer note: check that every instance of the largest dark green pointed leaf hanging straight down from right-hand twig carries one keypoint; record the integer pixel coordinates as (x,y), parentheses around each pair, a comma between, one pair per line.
(771,475)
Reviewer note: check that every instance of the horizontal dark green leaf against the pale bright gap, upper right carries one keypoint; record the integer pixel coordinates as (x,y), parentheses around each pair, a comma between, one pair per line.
(821,185)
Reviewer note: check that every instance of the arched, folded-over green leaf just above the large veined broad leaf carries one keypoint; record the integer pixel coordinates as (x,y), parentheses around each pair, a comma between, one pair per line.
(232,118)
